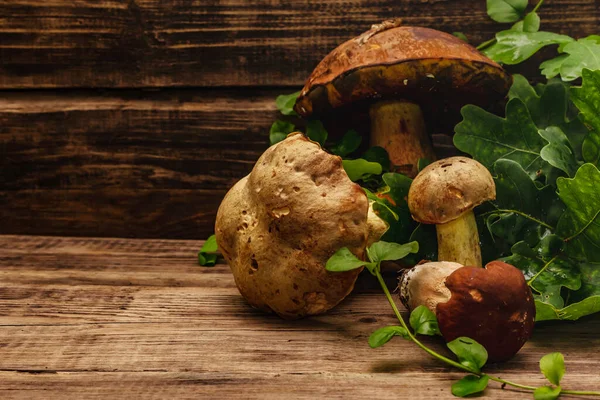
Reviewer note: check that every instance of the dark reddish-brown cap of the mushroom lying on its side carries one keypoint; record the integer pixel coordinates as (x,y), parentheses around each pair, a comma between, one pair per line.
(492,305)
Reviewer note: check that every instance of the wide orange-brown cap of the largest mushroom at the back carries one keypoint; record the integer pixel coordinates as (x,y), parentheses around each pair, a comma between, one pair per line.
(413,63)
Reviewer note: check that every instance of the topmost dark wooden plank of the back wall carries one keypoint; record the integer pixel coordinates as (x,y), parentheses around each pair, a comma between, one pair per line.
(140,43)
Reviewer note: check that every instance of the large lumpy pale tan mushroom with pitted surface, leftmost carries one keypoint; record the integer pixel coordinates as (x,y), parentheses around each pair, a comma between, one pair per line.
(278,226)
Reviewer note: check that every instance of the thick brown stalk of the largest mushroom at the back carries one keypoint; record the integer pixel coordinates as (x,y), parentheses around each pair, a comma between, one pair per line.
(398,126)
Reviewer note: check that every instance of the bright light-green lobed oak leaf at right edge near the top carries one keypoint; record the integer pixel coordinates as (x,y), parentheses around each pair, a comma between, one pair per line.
(577,55)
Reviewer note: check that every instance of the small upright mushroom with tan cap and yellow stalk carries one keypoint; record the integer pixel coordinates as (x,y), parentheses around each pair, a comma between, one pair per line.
(444,193)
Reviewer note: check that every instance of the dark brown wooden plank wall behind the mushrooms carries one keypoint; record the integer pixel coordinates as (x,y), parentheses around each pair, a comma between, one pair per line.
(132,118)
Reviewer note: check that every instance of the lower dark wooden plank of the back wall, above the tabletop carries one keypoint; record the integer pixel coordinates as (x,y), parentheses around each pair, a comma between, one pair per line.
(128,164)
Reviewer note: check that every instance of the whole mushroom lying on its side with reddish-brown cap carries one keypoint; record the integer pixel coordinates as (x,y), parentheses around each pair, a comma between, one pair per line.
(492,305)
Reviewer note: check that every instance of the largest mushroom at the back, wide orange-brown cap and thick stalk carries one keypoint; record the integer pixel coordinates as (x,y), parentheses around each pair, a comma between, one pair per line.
(396,71)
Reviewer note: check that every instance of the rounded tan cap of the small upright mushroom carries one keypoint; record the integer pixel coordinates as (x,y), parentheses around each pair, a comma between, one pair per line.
(447,188)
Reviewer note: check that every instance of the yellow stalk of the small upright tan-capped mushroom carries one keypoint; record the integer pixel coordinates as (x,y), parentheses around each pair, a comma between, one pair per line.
(458,241)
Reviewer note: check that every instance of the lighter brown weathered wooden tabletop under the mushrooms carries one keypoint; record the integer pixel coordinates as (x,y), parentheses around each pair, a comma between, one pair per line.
(116,318)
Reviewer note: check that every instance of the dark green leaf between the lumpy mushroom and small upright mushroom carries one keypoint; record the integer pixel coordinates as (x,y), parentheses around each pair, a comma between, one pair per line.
(393,208)
